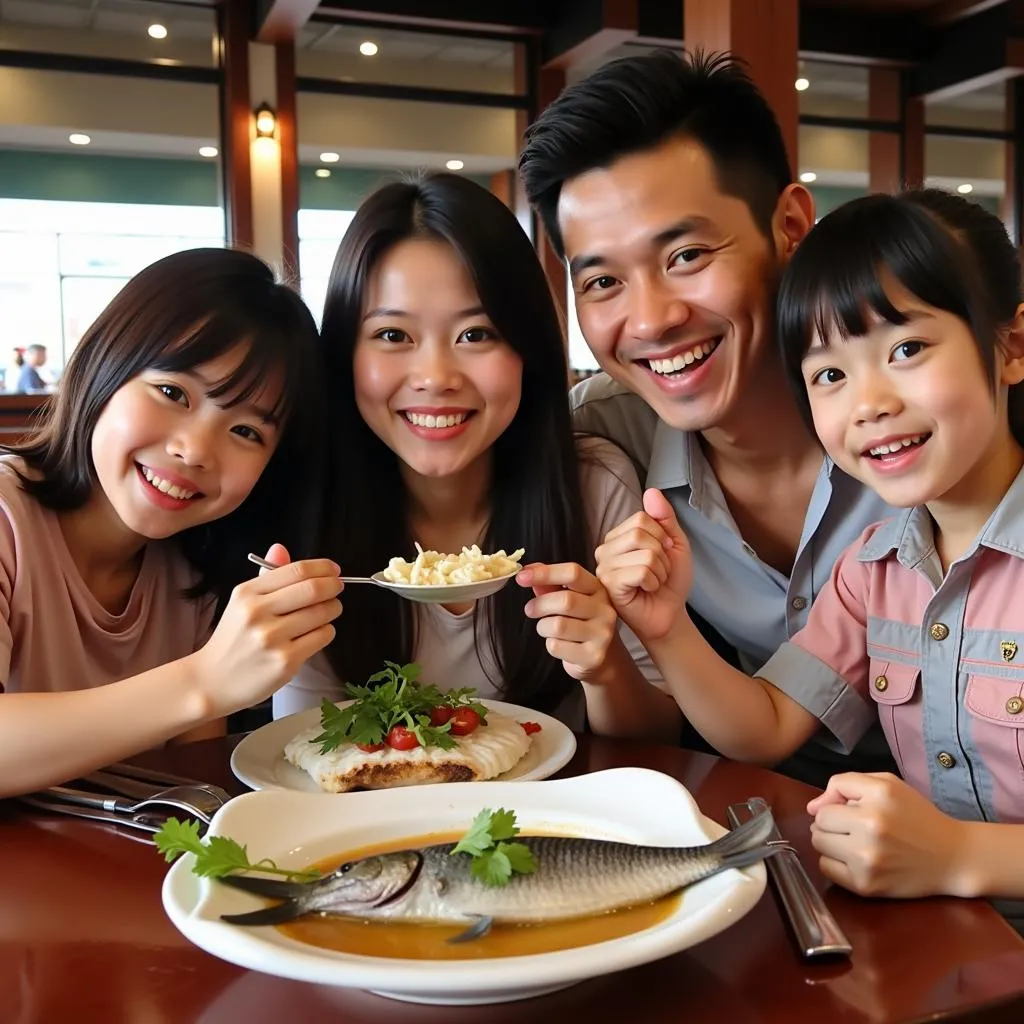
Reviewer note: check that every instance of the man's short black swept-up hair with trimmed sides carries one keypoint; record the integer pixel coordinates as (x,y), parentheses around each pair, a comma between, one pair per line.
(636,104)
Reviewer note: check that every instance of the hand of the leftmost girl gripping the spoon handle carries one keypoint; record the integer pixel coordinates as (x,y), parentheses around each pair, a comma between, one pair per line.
(273,624)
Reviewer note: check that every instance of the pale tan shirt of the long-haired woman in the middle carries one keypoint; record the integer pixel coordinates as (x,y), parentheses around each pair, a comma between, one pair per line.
(445,642)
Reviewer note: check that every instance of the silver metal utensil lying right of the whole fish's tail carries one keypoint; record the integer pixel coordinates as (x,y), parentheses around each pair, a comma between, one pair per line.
(816,929)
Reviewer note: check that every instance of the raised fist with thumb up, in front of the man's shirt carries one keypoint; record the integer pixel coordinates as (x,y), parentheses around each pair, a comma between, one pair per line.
(646,567)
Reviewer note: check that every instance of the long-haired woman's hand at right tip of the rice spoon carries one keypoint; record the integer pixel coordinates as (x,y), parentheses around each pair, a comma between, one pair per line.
(574,615)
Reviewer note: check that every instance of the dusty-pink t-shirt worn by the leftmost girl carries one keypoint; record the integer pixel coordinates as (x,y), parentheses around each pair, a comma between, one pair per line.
(55,635)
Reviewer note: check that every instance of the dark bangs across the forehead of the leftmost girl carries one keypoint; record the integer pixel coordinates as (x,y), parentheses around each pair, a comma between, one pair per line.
(262,353)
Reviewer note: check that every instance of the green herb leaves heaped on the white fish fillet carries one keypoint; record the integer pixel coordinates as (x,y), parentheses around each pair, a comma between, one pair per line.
(392,697)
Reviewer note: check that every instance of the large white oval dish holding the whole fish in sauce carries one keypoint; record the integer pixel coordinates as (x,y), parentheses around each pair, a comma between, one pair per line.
(633,805)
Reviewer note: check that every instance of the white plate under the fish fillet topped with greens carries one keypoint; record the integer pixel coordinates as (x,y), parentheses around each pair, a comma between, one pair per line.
(260,759)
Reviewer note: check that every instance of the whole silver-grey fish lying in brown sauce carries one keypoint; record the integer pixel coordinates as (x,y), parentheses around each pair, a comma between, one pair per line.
(575,878)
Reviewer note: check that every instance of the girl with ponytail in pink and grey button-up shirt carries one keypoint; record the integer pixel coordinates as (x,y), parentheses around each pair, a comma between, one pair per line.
(903,327)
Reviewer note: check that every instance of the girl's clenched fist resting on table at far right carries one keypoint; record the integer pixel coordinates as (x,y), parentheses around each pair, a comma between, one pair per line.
(880,837)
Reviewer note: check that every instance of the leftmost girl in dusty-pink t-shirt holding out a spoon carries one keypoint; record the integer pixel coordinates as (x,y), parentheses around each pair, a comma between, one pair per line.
(184,437)
